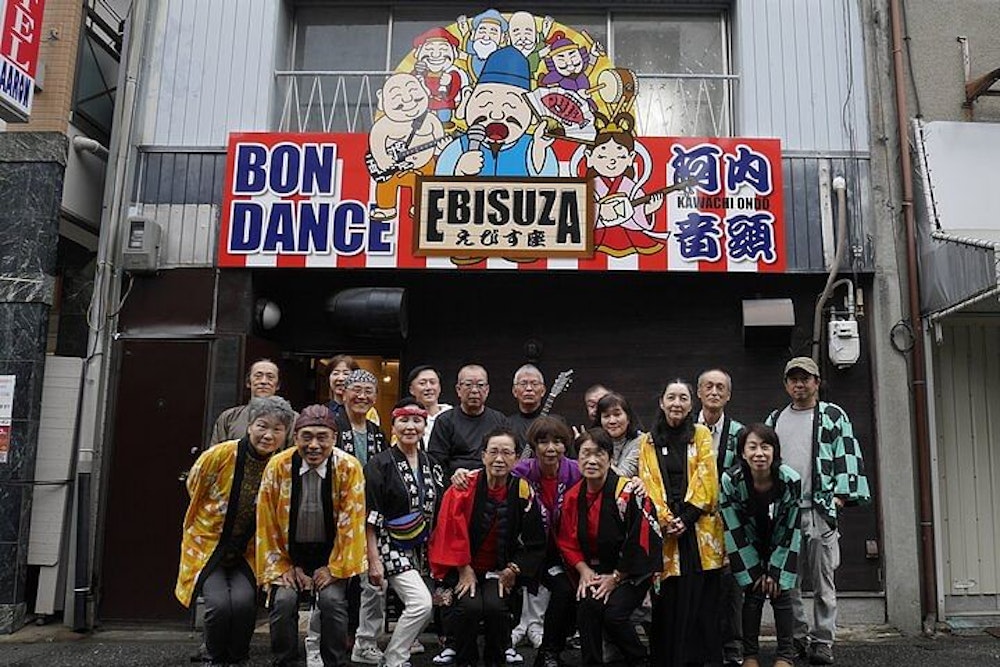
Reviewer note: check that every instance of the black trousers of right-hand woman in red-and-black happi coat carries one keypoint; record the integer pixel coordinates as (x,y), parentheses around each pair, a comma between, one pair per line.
(613,618)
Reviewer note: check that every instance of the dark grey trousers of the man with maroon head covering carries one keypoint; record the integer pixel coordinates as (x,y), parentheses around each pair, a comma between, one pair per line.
(284,619)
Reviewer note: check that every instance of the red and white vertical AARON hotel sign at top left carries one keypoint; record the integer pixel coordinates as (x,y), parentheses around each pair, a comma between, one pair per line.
(19,42)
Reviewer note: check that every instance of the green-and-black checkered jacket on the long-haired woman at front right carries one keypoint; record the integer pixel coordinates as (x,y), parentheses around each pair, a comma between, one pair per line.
(749,558)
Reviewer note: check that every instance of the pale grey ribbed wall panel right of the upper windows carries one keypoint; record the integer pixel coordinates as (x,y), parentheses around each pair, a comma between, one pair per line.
(802,77)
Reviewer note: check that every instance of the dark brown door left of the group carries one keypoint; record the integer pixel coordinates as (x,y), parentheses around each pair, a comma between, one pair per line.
(158,419)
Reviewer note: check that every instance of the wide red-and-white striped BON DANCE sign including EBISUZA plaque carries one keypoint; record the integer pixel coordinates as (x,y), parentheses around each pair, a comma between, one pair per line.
(301,200)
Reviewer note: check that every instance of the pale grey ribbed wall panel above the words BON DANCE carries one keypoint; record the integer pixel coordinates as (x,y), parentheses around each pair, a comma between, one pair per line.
(209,70)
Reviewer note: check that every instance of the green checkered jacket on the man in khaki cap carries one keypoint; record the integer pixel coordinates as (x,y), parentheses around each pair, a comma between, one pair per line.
(838,467)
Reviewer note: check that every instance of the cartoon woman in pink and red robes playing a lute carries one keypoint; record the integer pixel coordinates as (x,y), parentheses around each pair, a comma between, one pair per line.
(624,211)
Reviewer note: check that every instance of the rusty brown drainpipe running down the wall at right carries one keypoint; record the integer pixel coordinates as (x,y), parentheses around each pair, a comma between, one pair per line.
(918,379)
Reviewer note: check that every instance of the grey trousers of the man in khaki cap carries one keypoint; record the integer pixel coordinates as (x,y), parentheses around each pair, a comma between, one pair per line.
(819,558)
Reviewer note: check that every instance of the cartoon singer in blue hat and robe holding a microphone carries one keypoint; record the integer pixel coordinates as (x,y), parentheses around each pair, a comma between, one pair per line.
(498,117)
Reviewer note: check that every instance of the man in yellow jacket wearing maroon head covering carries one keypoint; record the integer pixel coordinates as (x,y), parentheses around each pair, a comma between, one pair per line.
(311,535)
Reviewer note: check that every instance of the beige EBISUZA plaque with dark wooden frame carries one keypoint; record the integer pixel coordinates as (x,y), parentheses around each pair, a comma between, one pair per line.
(492,217)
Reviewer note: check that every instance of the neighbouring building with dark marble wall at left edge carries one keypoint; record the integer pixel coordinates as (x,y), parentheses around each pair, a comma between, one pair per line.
(53,158)
